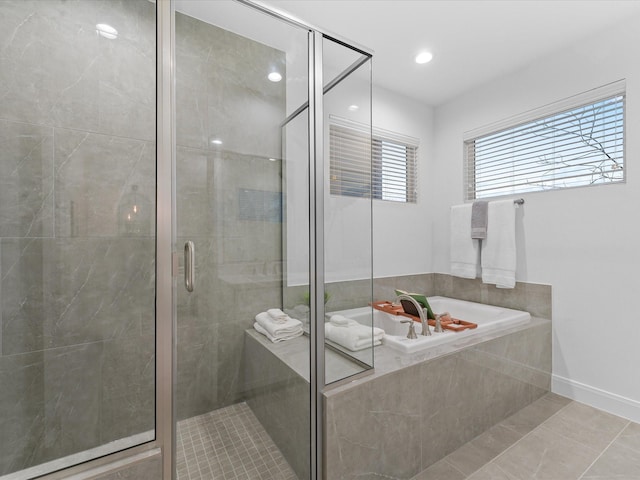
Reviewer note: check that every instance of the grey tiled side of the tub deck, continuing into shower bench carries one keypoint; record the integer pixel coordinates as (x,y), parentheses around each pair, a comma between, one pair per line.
(410,413)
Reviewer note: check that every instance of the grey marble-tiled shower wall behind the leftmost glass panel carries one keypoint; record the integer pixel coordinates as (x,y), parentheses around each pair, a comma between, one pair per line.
(77,135)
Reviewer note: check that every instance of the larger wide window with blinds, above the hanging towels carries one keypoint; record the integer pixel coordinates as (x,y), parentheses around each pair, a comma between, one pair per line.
(578,144)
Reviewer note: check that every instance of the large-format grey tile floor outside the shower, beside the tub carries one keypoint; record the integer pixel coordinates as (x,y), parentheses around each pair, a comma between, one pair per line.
(551,439)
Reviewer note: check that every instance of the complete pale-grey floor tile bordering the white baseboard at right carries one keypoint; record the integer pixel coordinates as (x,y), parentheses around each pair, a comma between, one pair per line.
(597,433)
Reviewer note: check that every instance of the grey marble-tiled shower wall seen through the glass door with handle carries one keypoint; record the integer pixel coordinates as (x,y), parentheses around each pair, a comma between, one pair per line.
(228,201)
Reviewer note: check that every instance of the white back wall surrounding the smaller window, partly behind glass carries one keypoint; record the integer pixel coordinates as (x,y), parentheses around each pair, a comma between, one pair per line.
(401,232)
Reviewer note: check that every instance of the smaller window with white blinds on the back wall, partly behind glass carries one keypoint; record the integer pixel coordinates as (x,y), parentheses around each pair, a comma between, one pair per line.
(381,165)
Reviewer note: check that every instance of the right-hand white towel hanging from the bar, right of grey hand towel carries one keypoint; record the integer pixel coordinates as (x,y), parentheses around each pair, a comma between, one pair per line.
(499,248)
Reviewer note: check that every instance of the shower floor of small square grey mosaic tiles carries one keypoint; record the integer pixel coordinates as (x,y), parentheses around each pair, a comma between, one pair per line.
(228,444)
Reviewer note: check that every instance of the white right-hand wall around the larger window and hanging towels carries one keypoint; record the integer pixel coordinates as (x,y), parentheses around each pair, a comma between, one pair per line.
(585,241)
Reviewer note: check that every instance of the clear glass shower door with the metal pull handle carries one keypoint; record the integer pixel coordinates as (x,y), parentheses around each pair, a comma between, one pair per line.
(239,75)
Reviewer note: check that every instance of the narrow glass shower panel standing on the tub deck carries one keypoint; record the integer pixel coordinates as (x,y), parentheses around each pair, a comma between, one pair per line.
(349,333)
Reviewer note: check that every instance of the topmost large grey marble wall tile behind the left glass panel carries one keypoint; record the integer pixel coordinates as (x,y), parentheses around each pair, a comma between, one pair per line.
(76,78)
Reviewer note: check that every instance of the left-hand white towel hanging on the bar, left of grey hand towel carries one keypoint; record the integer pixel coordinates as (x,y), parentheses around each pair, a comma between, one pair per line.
(464,249)
